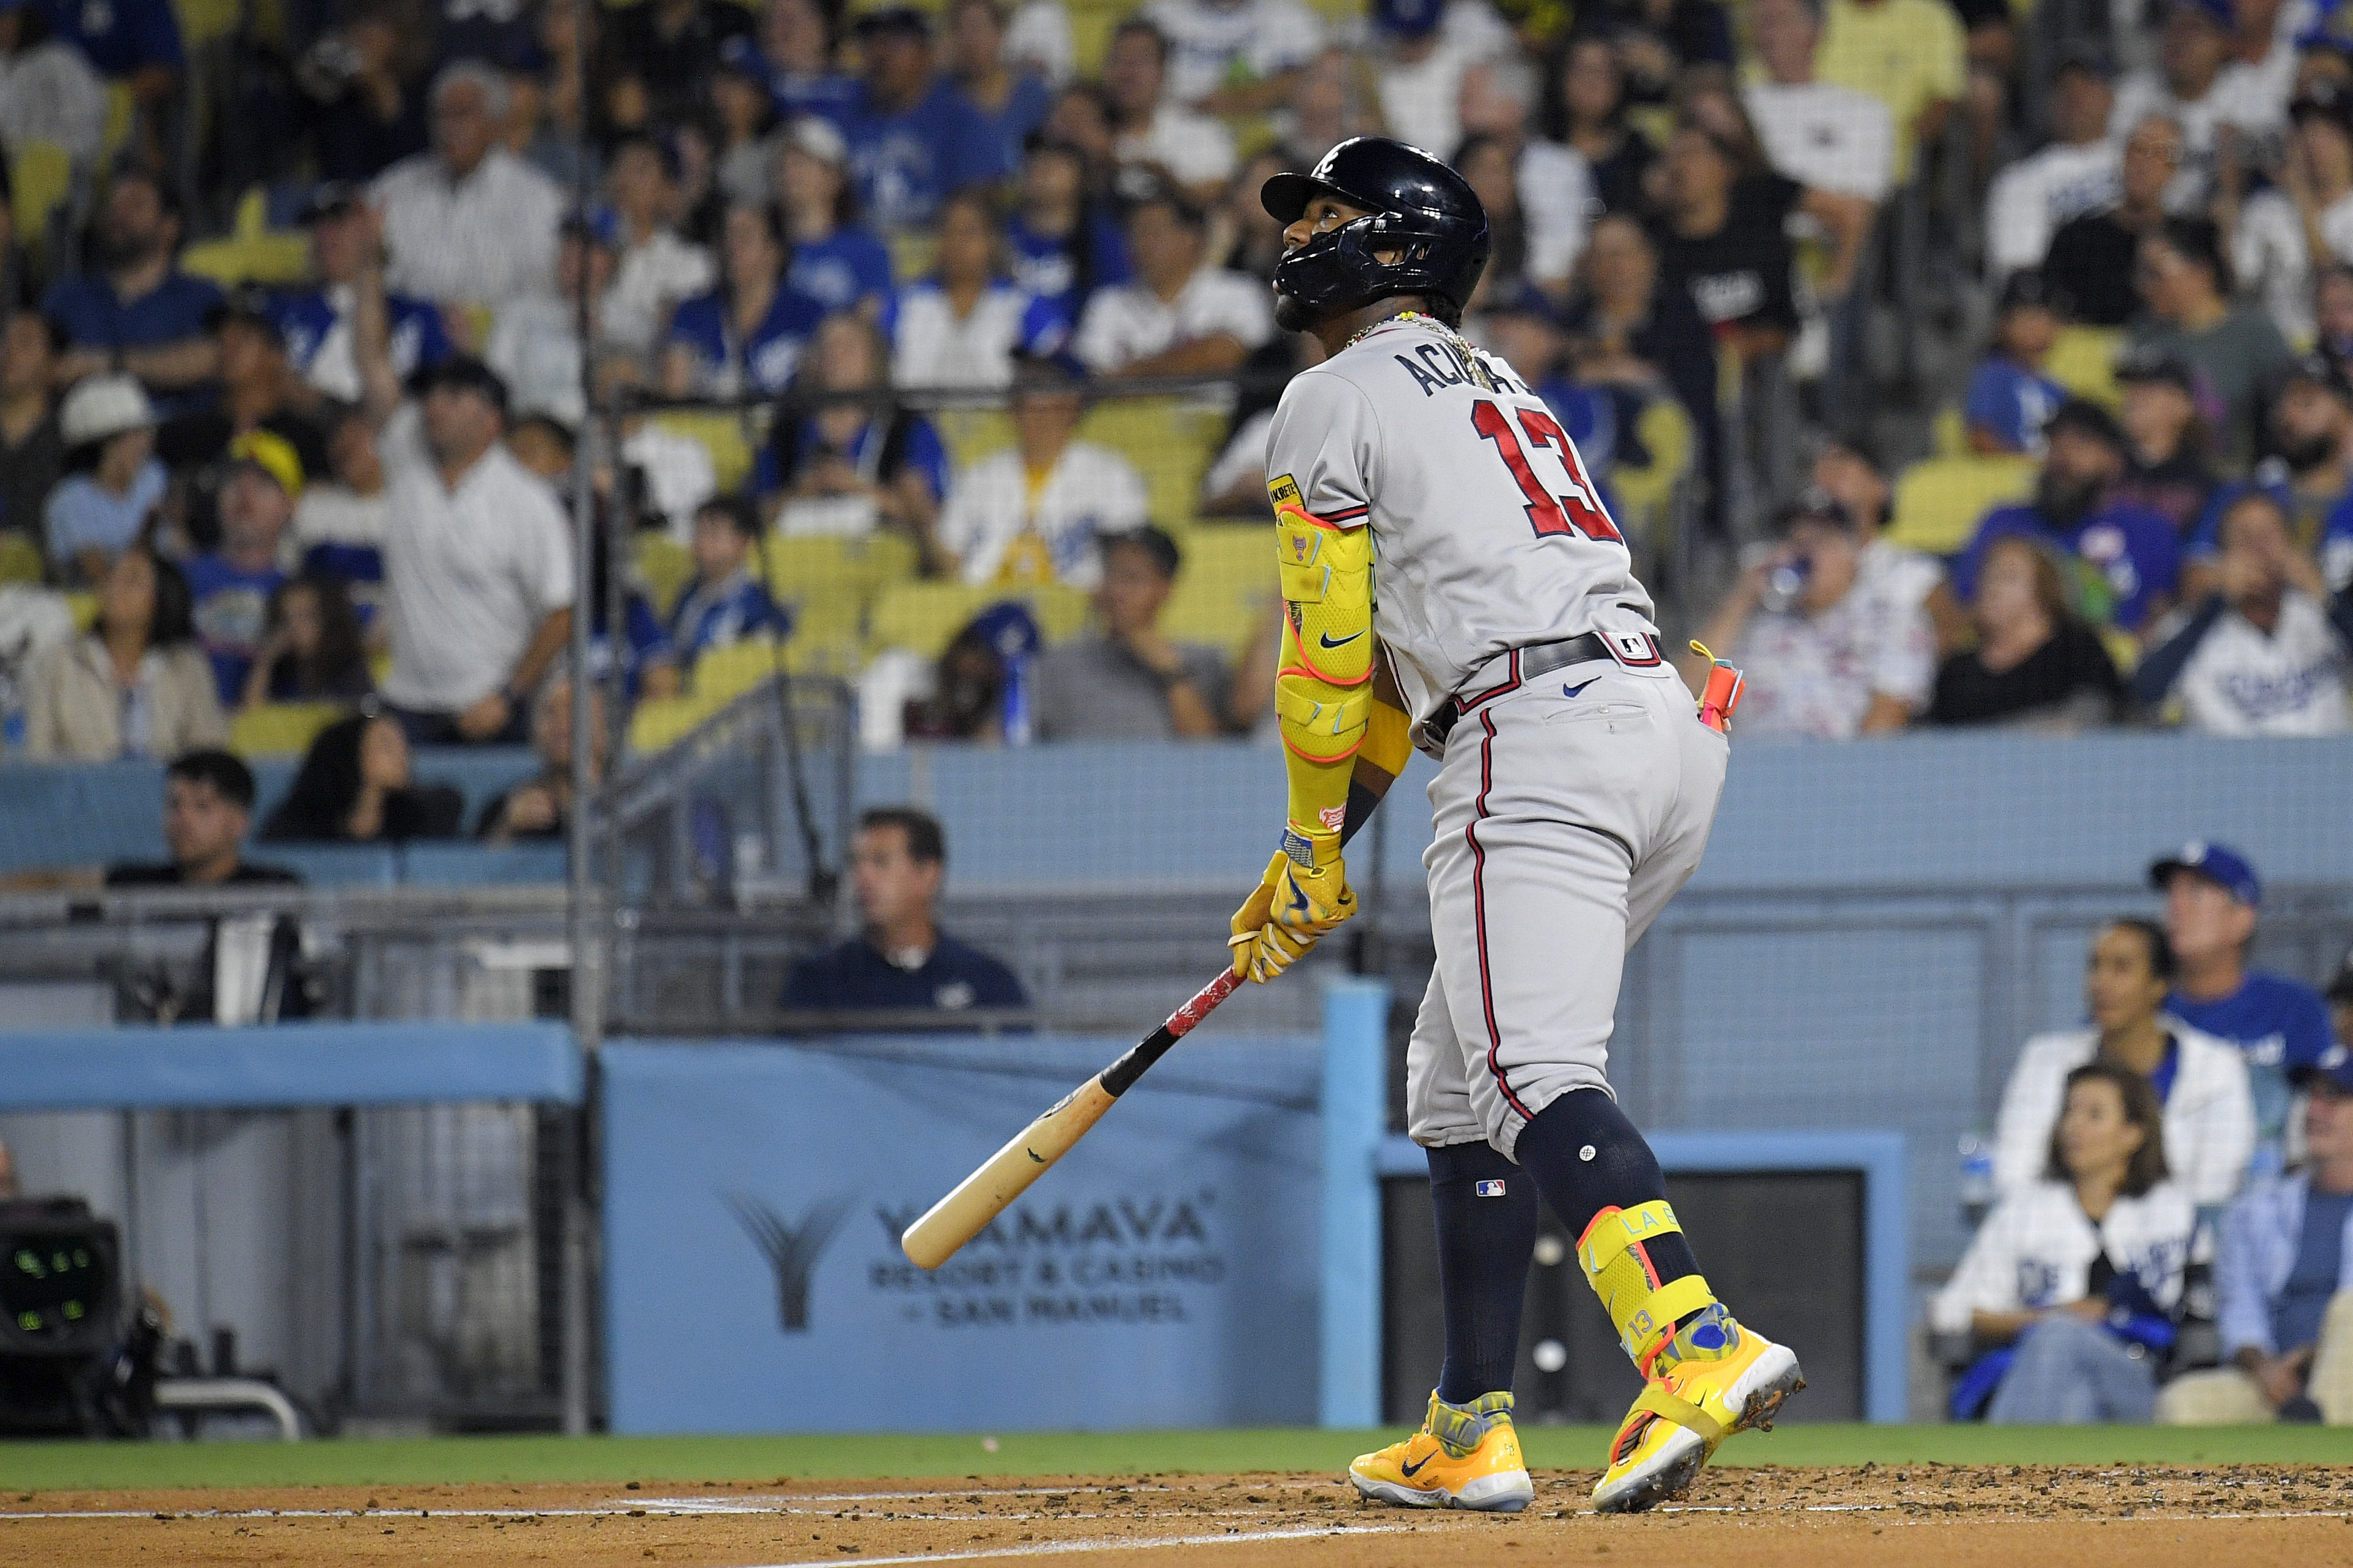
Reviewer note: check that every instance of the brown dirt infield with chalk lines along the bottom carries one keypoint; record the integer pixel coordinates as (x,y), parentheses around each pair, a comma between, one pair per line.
(1773,1517)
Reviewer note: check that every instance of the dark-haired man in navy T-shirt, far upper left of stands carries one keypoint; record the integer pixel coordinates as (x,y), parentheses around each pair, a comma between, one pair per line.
(135,309)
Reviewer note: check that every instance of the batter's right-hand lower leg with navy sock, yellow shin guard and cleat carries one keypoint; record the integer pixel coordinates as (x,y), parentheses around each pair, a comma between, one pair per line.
(1707,1376)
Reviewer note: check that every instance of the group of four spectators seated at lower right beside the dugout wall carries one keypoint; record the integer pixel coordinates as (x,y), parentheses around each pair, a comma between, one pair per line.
(2182,1165)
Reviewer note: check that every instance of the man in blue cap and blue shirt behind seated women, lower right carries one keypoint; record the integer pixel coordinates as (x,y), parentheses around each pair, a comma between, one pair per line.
(2279,1024)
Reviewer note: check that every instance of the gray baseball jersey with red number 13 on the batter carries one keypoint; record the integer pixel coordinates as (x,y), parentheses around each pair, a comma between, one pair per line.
(1488,532)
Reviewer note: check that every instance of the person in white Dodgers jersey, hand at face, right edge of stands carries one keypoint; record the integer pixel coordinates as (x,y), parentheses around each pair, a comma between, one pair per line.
(2269,650)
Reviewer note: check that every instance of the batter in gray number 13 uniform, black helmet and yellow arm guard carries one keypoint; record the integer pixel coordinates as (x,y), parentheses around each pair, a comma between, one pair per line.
(1429,507)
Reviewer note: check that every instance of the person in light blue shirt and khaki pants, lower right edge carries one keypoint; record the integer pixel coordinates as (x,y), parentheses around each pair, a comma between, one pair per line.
(2284,1280)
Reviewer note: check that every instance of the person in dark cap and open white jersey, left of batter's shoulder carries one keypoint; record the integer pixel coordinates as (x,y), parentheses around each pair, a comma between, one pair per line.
(1034,511)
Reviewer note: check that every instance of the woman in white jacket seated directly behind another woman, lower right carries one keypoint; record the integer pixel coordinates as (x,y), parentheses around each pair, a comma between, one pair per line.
(2201,1083)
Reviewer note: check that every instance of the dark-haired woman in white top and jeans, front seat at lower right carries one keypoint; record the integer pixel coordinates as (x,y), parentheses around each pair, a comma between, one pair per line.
(2077,1275)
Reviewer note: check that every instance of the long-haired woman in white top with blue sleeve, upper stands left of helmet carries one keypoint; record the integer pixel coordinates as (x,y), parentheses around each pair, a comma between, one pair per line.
(968,321)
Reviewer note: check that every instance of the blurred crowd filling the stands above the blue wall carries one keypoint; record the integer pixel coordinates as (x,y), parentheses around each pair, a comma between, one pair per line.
(232,481)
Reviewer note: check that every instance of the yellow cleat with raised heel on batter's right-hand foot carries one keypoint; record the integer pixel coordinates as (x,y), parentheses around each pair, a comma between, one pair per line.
(1714,1379)
